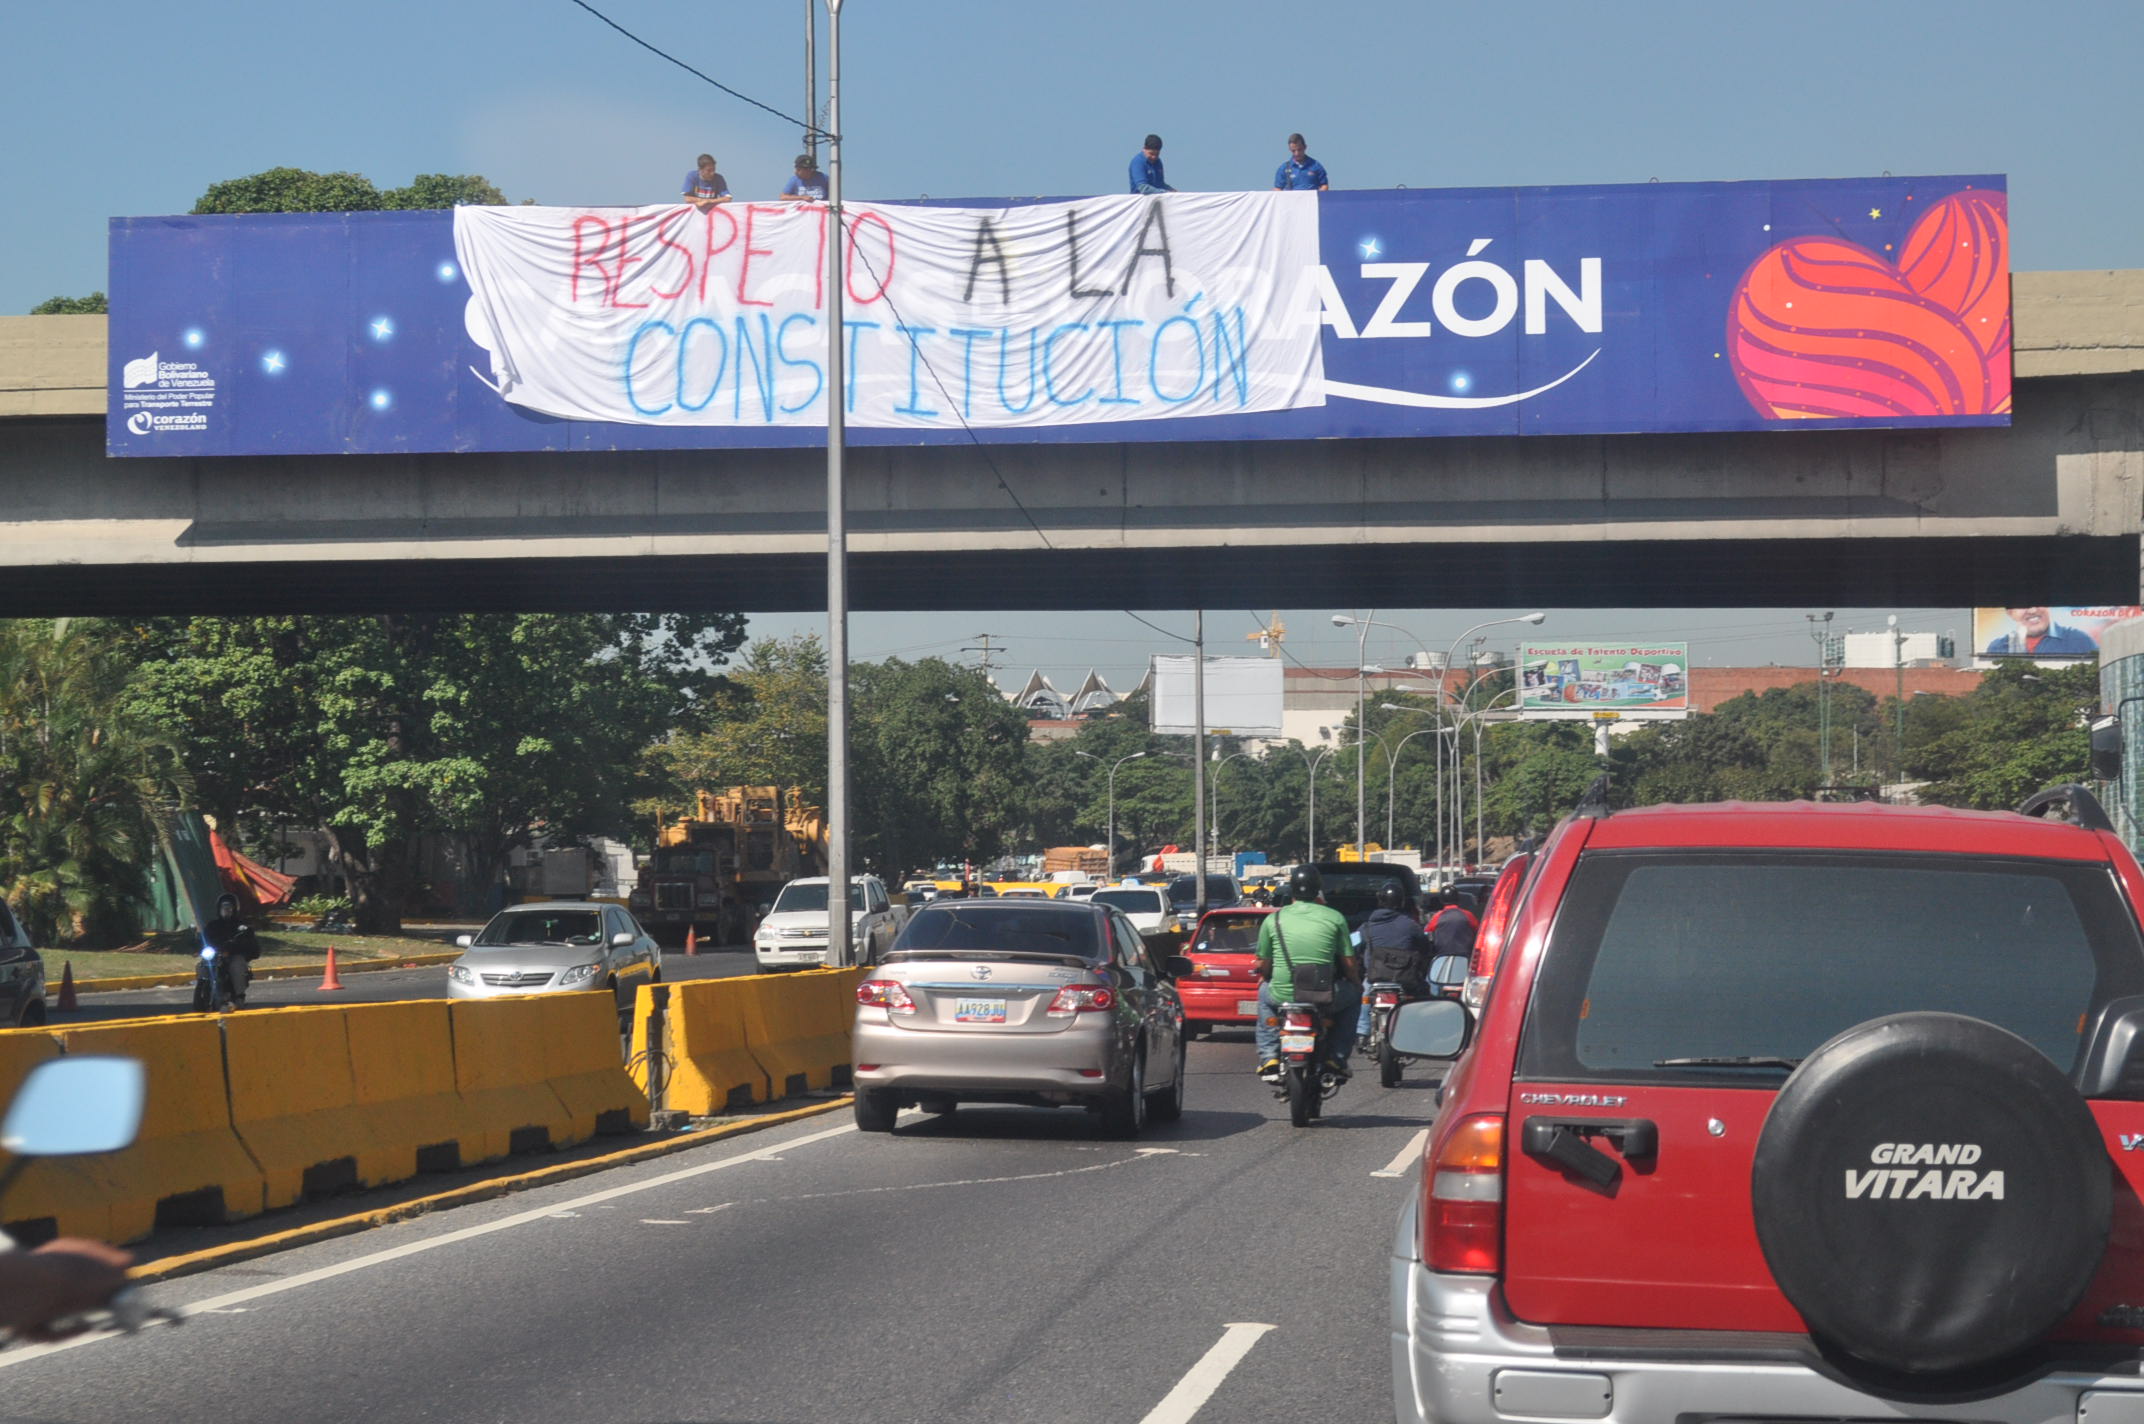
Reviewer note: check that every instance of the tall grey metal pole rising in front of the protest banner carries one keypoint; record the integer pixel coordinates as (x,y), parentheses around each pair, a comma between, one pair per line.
(837,516)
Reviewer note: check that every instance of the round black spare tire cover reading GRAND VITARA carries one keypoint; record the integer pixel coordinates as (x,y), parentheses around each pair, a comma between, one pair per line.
(1931,1193)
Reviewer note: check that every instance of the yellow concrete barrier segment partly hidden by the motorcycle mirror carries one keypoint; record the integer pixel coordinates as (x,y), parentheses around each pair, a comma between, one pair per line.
(188,1168)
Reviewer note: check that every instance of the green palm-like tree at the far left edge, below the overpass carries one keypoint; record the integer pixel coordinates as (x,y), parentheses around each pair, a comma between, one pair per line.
(85,786)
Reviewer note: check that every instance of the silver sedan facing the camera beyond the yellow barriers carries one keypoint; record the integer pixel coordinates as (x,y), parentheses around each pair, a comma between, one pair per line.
(556,947)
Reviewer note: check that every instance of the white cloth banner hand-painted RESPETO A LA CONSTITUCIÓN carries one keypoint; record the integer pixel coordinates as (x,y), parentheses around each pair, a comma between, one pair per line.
(1024,316)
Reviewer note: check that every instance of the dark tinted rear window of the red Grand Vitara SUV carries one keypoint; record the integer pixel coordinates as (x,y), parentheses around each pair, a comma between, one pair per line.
(1770,955)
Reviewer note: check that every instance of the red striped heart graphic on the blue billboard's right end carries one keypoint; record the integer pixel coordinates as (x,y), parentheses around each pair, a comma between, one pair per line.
(1826,329)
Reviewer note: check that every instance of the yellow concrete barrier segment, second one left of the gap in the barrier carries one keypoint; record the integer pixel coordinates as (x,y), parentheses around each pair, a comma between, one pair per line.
(402,1071)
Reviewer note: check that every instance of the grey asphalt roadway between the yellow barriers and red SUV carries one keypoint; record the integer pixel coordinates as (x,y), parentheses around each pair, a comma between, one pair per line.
(992,1266)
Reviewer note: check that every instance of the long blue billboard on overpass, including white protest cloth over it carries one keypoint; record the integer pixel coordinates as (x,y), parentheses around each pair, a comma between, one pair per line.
(1189,316)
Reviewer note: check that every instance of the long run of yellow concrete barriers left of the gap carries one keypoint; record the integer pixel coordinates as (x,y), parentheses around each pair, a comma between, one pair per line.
(269,1108)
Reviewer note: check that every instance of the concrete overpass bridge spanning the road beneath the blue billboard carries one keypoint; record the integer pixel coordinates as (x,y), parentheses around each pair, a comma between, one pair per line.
(2044,511)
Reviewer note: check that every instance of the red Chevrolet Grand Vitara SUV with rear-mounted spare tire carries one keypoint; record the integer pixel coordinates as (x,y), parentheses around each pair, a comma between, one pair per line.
(1791,1114)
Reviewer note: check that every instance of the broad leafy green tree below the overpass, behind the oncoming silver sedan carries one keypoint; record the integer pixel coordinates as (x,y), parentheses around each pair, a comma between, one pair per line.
(378,730)
